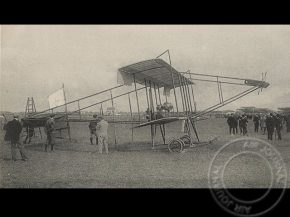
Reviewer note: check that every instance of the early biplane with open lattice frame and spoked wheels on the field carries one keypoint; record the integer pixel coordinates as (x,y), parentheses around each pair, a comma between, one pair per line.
(152,76)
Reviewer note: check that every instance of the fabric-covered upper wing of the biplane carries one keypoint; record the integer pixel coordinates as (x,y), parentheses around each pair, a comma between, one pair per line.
(156,71)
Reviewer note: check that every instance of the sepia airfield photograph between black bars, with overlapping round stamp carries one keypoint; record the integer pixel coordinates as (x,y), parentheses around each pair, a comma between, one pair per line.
(146,106)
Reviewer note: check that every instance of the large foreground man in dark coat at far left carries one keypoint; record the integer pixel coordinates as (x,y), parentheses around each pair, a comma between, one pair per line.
(13,129)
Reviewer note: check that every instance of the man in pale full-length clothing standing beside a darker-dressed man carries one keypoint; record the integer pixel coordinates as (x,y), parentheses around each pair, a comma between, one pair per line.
(102,128)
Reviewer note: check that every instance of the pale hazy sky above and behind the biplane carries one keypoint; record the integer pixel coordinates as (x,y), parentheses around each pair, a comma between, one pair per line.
(36,60)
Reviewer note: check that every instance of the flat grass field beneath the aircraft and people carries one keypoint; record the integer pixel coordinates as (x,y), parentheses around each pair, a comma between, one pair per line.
(134,164)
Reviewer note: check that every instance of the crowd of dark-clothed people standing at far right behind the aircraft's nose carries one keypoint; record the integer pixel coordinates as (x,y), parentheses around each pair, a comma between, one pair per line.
(270,123)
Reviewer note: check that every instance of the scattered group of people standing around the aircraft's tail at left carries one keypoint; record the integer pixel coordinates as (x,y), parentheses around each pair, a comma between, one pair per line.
(98,128)
